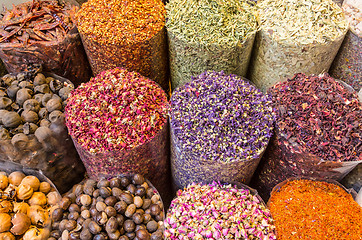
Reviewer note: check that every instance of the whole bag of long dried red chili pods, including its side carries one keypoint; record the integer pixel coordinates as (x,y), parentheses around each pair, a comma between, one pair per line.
(42,32)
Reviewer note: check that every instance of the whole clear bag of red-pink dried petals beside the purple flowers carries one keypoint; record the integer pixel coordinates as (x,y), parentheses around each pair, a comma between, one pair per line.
(118,123)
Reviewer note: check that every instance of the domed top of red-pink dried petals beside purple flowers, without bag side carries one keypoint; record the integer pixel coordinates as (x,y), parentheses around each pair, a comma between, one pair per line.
(116,110)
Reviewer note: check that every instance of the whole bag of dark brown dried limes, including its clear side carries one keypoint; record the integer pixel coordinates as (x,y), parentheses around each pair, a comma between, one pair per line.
(32,128)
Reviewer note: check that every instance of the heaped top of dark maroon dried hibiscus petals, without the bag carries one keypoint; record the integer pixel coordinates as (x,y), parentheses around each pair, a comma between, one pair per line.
(320,115)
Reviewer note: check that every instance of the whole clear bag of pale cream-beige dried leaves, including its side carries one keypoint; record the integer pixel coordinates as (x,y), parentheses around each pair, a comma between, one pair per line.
(295,36)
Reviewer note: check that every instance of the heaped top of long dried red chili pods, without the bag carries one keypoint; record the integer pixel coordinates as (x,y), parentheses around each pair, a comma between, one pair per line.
(35,21)
